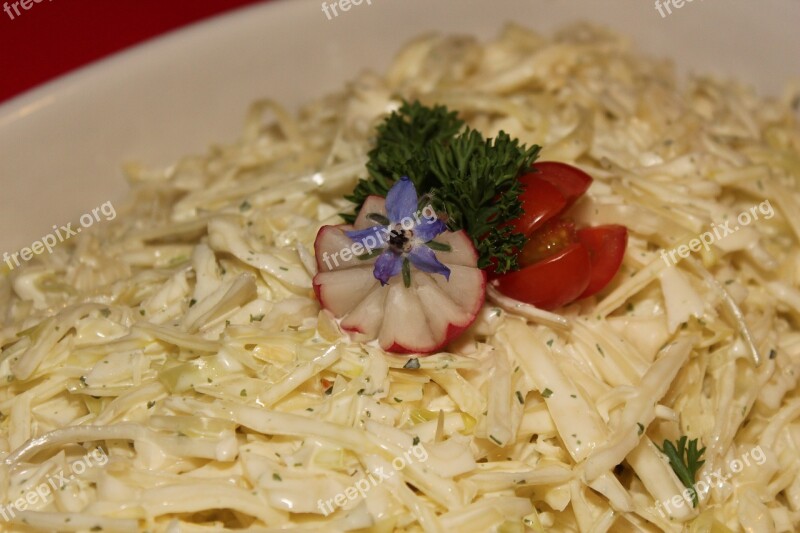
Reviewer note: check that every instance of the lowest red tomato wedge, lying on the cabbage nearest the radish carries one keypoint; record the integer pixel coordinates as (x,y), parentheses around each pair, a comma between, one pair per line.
(552,282)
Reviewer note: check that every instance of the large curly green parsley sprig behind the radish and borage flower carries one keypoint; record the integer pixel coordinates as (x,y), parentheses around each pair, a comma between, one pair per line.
(470,180)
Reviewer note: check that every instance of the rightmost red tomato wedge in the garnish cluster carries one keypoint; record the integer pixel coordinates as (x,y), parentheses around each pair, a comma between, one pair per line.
(606,247)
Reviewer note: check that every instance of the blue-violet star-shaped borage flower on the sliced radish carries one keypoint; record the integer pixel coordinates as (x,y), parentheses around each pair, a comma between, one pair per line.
(408,238)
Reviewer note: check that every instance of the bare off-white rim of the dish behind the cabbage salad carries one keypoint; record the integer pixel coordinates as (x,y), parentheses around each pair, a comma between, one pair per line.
(62,144)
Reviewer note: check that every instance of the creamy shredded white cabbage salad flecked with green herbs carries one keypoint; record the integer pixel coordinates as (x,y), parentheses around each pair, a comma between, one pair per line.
(184,338)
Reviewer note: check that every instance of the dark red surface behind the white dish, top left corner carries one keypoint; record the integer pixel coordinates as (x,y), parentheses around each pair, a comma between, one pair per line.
(56,36)
